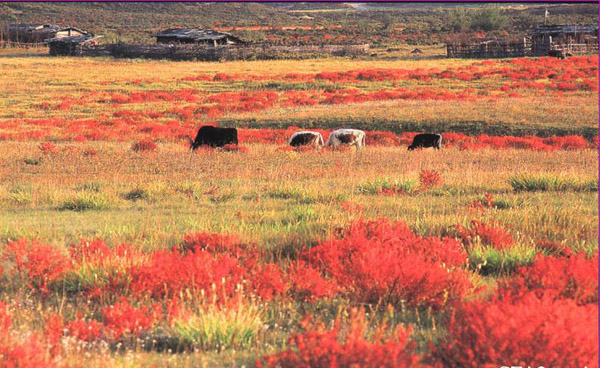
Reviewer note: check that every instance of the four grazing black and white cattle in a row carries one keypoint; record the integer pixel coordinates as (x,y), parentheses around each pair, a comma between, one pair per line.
(219,137)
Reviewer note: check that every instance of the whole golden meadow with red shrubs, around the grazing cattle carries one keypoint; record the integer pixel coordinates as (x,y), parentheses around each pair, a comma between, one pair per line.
(119,247)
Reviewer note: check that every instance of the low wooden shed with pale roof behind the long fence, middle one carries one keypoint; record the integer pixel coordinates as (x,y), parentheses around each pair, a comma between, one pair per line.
(196,36)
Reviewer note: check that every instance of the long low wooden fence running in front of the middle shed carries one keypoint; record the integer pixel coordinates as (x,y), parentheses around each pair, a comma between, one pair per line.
(210,53)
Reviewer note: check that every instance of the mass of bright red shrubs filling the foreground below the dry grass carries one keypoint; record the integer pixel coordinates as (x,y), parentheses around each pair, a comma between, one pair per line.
(533,318)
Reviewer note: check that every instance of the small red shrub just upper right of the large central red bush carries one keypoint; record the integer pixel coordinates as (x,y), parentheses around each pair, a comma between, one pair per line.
(490,234)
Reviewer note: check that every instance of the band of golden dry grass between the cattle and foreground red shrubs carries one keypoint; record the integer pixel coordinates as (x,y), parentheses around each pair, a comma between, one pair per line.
(276,197)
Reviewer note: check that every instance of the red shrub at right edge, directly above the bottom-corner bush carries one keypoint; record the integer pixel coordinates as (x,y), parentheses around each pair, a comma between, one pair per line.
(575,277)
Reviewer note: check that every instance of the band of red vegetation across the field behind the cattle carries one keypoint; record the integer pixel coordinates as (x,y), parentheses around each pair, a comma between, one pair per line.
(175,114)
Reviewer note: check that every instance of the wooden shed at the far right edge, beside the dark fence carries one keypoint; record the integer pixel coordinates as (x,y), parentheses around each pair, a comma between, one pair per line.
(570,39)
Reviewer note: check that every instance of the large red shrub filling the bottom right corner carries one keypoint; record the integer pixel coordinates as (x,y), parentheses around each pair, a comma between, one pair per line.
(526,331)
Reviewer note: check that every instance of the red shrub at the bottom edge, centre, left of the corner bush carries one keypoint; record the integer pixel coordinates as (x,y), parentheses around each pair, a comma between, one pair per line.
(336,348)
